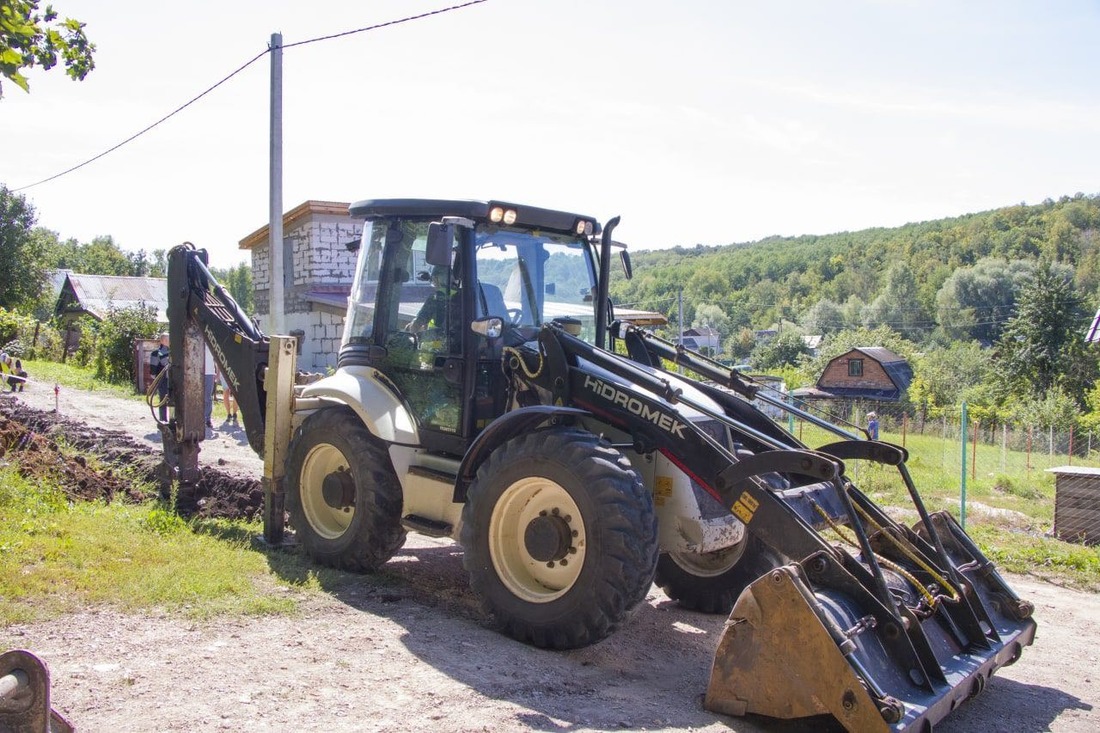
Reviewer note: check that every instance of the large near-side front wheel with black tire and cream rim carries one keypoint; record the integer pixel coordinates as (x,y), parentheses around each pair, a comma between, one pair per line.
(560,539)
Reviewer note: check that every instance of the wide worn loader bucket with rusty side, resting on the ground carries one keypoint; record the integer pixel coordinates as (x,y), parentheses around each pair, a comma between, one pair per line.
(807,640)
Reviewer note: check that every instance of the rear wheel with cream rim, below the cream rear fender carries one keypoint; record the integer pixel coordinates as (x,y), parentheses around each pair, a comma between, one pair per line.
(343,495)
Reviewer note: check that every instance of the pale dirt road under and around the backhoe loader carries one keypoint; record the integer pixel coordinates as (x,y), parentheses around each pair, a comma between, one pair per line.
(408,650)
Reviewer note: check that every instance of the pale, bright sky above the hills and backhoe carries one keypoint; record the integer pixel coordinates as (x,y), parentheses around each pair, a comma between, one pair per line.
(699,123)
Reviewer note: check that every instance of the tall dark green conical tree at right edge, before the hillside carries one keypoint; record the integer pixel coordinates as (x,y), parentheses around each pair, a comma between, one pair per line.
(1043,346)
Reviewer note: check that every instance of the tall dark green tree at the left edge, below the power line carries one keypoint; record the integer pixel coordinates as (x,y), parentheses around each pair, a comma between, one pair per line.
(21,255)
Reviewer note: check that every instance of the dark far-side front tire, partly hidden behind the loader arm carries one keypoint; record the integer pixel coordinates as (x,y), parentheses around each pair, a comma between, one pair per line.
(712,583)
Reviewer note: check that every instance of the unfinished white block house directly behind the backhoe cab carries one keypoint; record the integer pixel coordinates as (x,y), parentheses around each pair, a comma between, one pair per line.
(318,270)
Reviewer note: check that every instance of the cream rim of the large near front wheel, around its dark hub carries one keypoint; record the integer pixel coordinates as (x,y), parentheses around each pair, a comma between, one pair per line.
(523,504)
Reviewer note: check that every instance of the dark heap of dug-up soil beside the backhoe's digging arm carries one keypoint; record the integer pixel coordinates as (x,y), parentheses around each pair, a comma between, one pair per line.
(53,447)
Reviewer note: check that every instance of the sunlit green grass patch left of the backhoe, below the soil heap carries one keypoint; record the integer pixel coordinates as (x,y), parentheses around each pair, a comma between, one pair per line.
(58,557)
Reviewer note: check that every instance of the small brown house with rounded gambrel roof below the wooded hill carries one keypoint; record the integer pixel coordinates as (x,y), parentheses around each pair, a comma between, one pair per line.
(863,374)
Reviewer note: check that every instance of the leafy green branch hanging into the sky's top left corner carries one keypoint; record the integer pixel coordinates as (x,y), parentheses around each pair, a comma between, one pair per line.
(30,39)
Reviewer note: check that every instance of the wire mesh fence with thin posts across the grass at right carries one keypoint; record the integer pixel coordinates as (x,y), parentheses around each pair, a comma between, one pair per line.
(1020,476)
